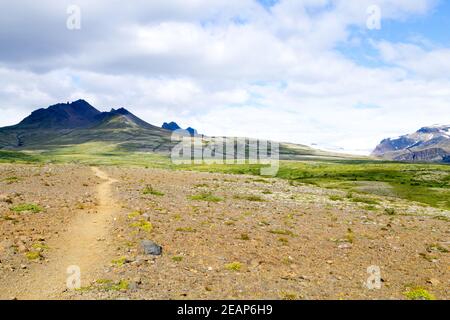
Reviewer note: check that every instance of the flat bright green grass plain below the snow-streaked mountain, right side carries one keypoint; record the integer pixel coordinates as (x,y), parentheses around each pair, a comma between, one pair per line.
(428,184)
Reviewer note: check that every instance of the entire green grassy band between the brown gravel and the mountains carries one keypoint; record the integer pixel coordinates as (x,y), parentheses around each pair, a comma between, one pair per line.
(428,184)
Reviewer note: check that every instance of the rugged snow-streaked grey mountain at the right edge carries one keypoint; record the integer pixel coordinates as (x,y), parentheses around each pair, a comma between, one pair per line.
(428,144)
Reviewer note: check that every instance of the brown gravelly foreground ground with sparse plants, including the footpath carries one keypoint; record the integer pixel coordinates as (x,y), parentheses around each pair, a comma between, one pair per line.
(158,234)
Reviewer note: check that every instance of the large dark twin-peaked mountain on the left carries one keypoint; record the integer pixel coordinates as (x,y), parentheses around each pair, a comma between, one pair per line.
(78,122)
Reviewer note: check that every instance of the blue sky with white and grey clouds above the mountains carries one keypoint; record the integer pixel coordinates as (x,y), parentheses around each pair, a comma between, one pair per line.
(335,74)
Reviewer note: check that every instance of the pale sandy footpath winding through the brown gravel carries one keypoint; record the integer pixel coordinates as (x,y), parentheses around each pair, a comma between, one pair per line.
(85,244)
